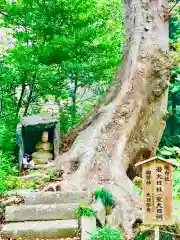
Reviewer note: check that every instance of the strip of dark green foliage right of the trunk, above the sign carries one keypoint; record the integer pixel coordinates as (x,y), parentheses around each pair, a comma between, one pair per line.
(171,136)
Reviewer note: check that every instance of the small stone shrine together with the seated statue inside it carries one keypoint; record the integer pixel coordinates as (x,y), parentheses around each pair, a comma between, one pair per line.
(39,137)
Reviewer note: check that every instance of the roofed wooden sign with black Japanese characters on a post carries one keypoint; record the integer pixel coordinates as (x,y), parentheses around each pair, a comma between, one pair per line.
(157,175)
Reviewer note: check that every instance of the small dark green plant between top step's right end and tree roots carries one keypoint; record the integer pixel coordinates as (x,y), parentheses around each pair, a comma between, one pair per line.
(105,196)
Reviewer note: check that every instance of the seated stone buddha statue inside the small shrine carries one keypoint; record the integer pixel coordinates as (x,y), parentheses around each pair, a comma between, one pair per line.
(43,150)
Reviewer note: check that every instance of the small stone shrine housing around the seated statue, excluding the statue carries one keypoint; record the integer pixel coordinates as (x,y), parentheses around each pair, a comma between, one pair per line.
(30,130)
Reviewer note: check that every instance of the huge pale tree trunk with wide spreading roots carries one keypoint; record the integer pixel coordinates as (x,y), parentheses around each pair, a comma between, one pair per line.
(129,125)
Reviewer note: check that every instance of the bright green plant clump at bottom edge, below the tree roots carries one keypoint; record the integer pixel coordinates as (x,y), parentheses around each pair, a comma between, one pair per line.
(106,234)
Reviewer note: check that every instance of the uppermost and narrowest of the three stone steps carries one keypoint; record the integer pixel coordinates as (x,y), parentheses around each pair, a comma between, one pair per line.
(56,197)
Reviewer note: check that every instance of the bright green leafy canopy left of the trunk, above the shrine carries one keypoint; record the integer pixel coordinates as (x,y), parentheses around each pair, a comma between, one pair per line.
(68,46)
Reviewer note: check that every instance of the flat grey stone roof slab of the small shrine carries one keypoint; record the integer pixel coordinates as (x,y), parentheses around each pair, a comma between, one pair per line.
(38,119)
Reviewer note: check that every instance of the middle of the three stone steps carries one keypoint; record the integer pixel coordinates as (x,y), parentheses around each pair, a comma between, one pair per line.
(40,212)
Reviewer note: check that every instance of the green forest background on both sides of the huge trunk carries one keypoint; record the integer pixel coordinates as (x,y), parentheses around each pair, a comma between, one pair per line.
(68,54)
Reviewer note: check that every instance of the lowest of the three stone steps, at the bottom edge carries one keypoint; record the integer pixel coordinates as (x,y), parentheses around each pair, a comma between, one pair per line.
(40,229)
